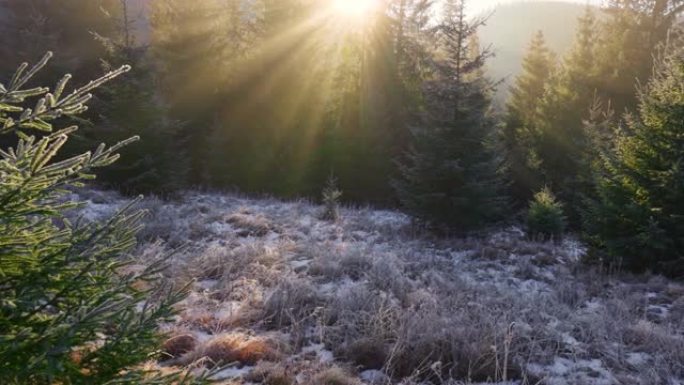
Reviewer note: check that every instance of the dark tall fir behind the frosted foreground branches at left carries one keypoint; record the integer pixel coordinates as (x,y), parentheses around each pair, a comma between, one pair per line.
(158,163)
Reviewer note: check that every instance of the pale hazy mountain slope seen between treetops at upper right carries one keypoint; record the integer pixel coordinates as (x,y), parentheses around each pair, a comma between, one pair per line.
(511,27)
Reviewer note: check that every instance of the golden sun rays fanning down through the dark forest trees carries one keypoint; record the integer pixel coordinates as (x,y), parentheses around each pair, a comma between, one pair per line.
(302,87)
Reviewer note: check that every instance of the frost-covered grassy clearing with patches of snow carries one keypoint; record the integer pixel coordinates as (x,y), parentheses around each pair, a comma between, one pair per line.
(287,298)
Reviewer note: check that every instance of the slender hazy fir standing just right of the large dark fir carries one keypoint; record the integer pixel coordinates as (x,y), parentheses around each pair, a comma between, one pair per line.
(520,131)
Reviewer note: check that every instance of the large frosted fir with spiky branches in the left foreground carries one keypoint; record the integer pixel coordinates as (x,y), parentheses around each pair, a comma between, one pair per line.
(73,310)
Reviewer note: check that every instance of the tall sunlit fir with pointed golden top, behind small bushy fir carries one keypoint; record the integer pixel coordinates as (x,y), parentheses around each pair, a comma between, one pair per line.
(562,145)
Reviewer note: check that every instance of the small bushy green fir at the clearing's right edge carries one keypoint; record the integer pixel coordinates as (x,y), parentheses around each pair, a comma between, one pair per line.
(545,218)
